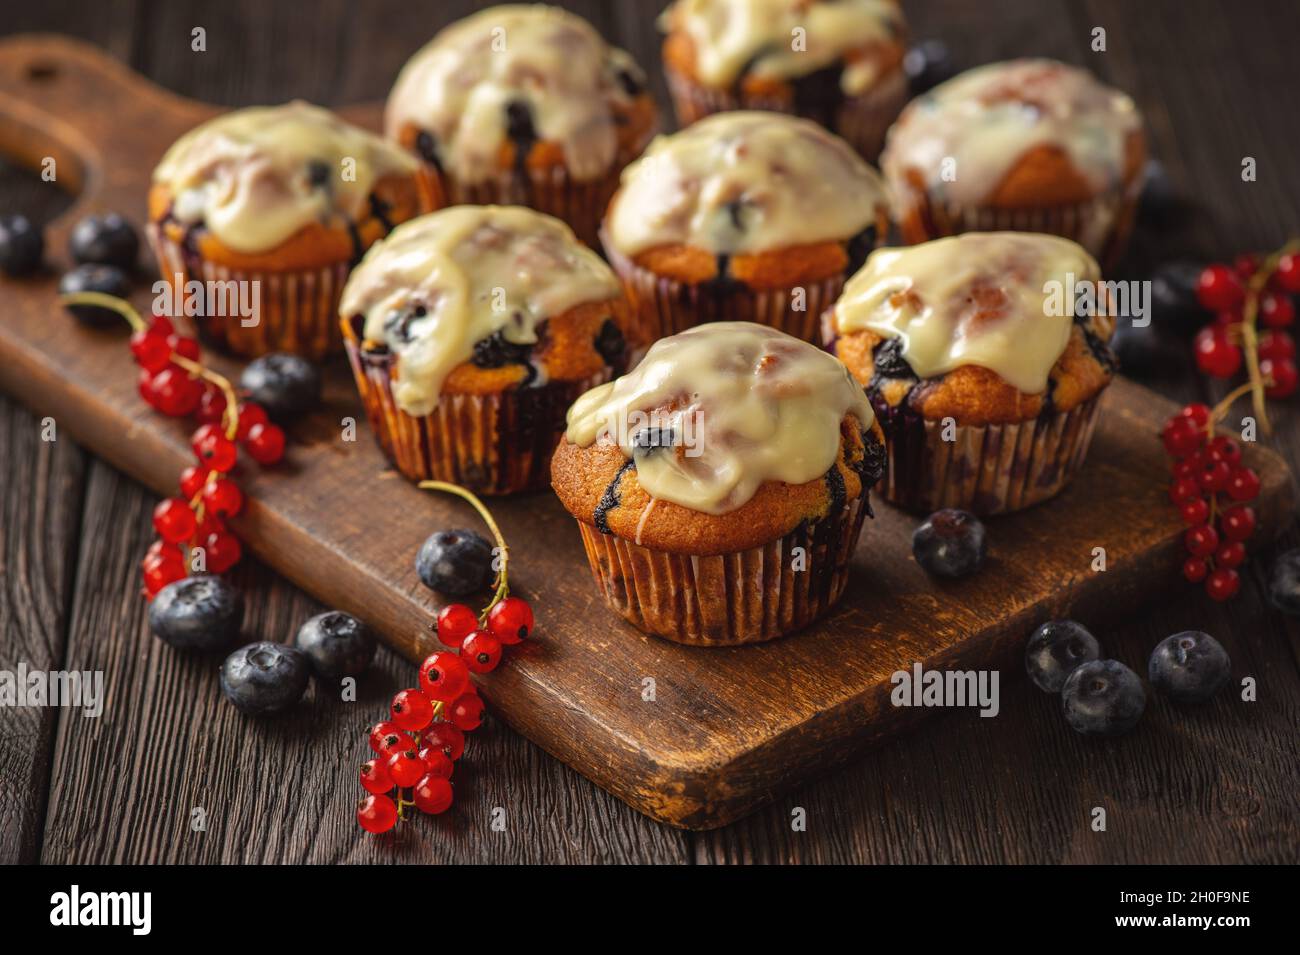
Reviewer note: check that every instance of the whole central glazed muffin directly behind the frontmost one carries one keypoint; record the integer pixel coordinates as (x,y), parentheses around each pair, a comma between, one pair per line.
(746,216)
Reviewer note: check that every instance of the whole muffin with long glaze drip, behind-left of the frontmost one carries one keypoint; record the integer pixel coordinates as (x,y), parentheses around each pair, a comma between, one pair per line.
(471,331)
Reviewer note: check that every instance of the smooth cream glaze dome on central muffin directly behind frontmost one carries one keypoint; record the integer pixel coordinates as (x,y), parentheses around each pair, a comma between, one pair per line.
(746,183)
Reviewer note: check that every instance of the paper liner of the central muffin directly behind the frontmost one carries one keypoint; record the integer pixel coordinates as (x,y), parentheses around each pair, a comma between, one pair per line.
(664,306)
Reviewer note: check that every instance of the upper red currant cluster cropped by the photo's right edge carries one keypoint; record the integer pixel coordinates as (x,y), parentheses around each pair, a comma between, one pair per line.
(1242,297)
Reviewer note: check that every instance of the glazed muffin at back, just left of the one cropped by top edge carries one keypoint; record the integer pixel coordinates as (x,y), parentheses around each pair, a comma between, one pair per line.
(525,106)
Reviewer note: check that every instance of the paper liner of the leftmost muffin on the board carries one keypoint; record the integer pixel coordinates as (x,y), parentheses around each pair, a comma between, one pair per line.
(298,310)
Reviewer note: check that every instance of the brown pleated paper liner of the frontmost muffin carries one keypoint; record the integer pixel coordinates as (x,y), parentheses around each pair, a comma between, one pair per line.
(744,597)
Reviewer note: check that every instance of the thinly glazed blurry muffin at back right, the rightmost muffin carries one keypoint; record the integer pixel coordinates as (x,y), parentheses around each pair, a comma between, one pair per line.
(1028,146)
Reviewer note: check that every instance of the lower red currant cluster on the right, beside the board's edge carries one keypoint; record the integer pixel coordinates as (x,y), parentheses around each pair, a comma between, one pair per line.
(1212,490)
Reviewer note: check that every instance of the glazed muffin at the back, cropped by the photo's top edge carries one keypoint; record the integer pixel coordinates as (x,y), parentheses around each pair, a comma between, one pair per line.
(838,63)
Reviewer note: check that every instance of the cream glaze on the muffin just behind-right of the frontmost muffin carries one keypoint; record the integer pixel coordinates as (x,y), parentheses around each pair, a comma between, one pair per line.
(973,299)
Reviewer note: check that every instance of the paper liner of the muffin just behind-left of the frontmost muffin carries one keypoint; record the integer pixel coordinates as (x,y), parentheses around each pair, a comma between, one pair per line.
(500,444)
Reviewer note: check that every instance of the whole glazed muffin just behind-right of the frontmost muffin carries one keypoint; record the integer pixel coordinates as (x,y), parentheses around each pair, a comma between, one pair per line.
(983,374)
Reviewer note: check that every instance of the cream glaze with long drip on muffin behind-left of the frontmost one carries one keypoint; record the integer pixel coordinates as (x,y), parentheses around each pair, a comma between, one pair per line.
(443,283)
